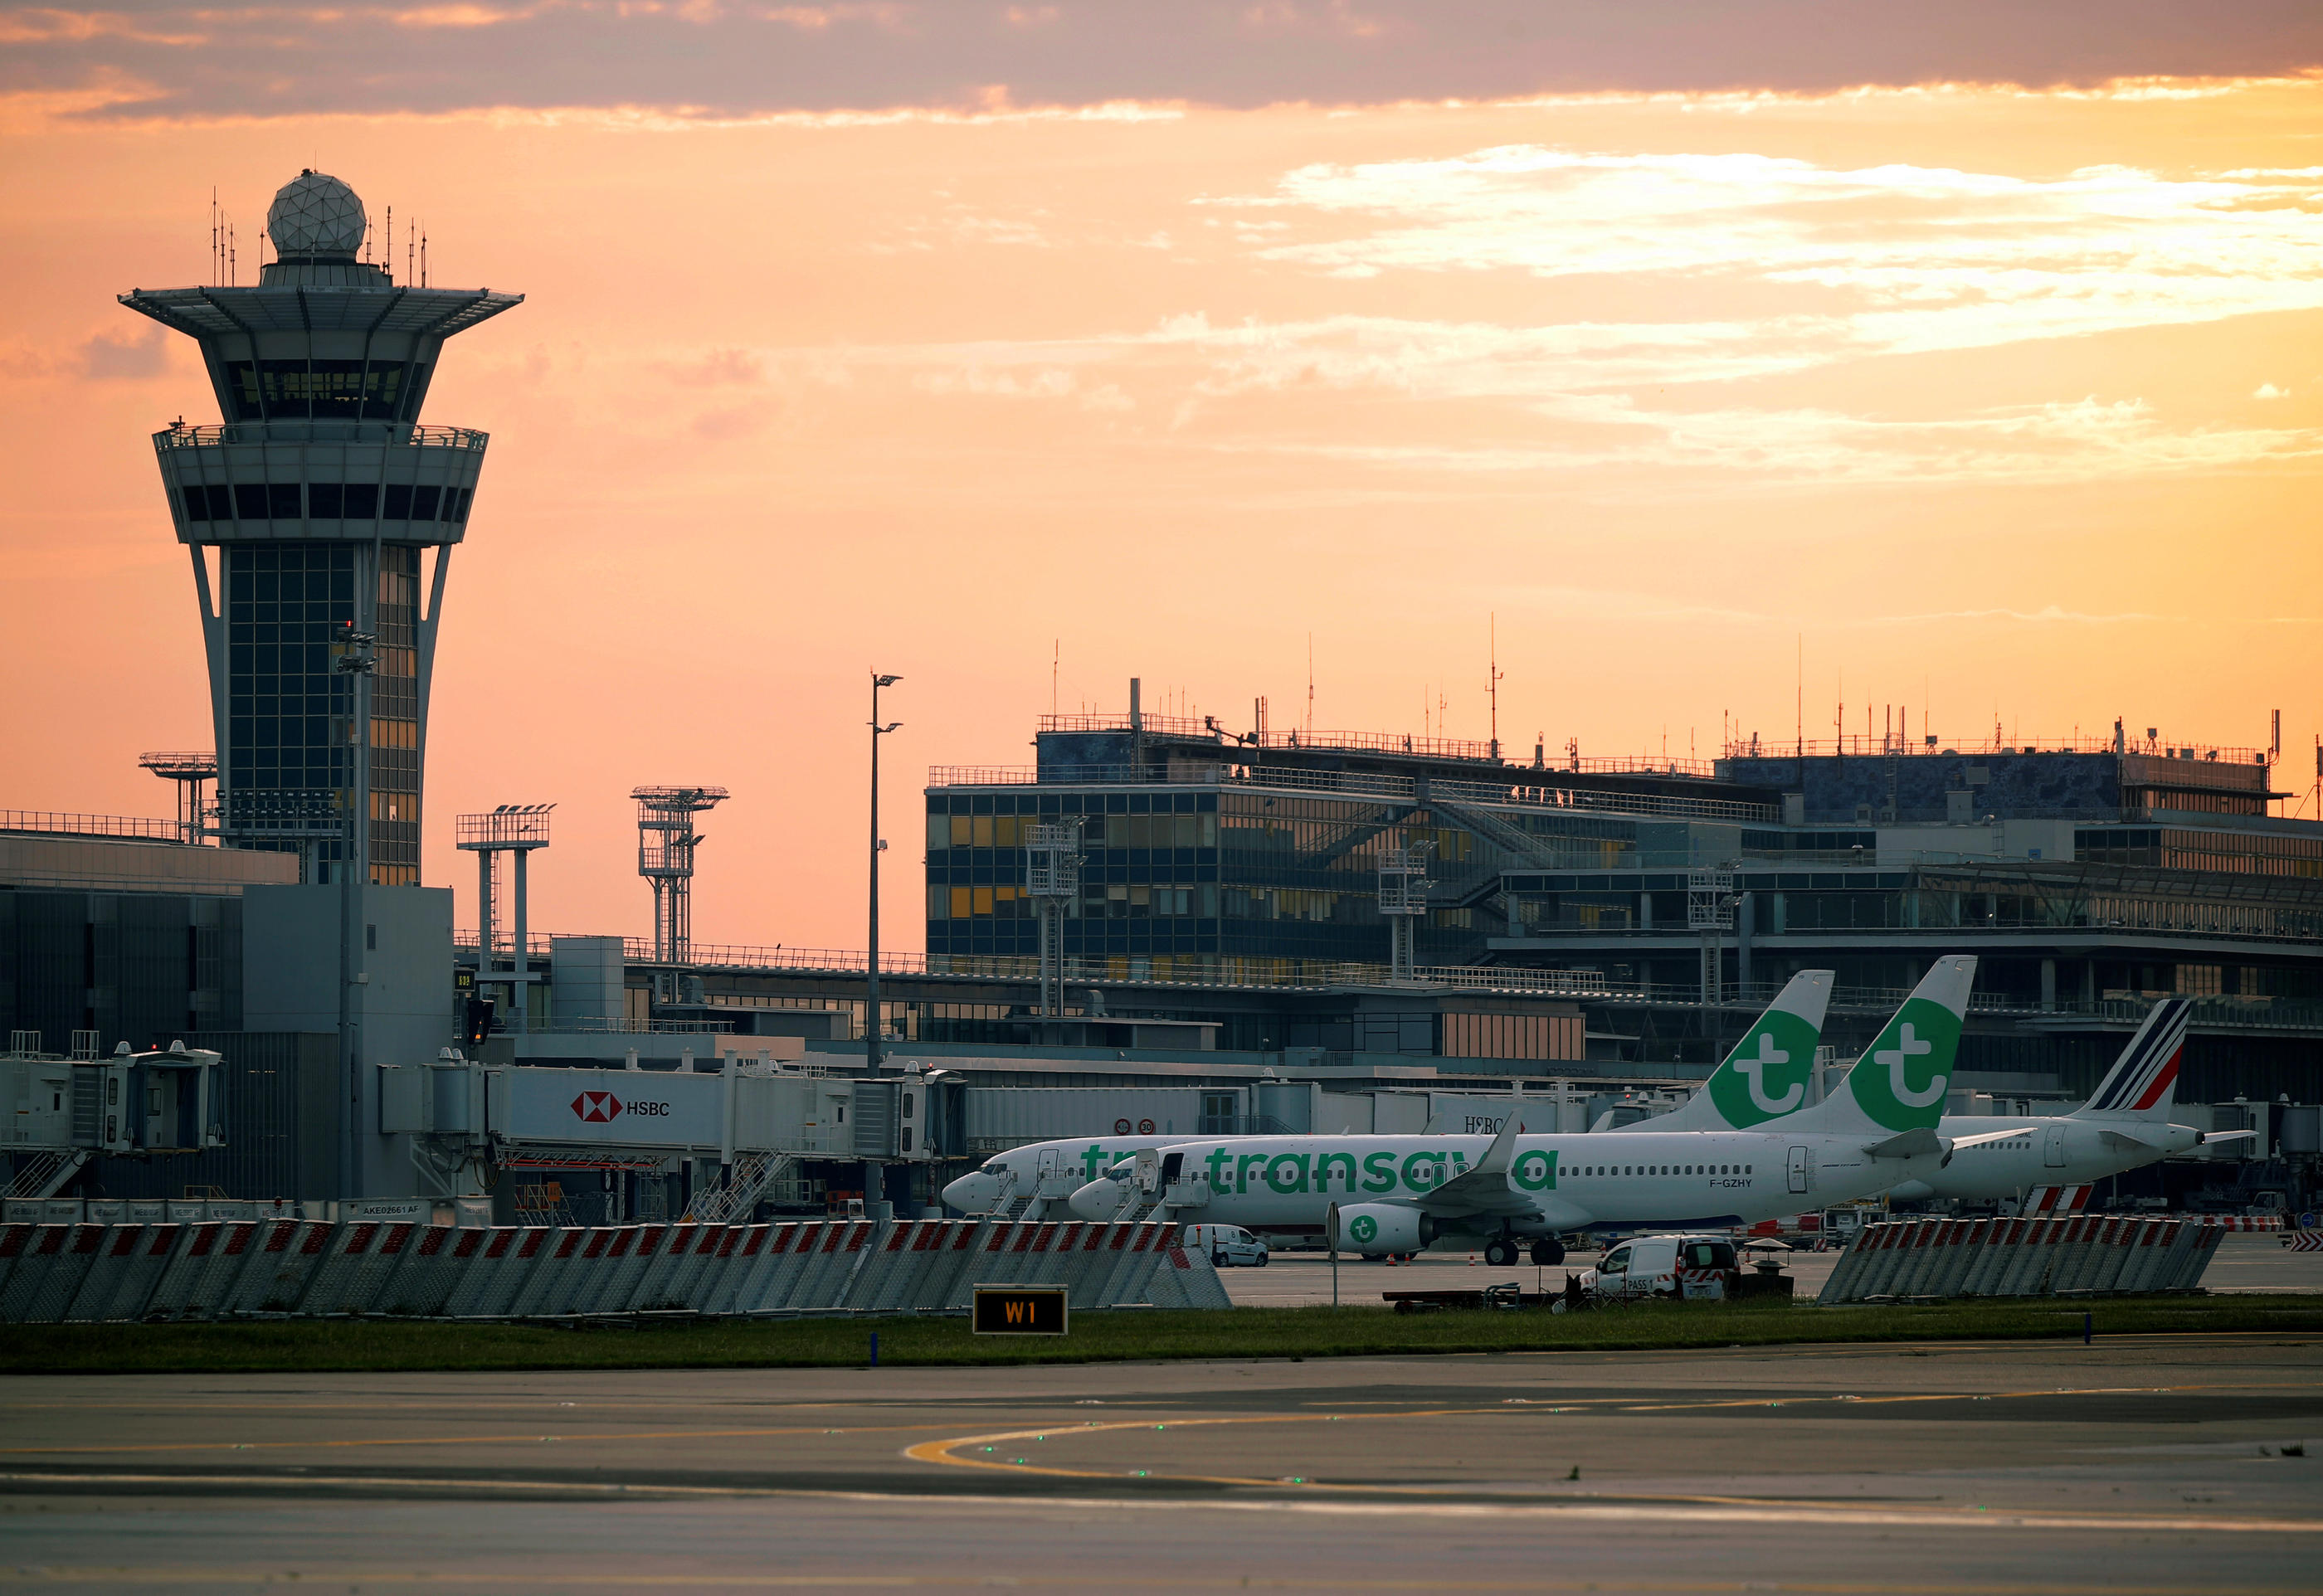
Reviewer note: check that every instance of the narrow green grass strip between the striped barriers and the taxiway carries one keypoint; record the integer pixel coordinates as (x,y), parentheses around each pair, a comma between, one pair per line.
(1100,1337)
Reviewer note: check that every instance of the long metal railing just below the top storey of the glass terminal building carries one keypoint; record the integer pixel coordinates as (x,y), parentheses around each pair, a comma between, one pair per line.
(1527,789)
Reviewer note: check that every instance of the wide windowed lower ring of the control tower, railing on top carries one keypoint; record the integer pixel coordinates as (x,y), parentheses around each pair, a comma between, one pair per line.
(319,482)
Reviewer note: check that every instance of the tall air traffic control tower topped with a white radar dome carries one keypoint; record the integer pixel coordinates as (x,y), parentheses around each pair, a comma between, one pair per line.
(322,494)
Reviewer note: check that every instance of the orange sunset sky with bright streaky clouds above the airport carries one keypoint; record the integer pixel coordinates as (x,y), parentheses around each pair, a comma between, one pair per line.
(1976,359)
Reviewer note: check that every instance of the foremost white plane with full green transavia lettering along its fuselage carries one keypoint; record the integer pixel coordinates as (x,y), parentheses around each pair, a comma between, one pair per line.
(1383,1195)
